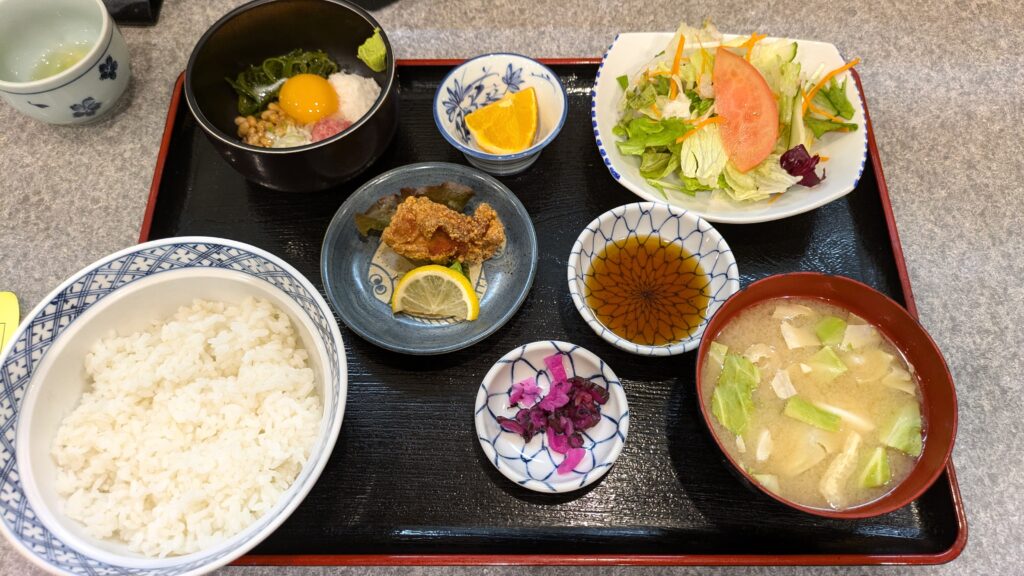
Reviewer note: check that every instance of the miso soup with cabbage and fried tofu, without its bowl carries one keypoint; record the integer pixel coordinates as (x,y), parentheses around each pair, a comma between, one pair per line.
(818,405)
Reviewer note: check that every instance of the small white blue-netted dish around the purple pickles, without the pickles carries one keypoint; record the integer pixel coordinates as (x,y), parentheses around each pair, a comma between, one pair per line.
(616,390)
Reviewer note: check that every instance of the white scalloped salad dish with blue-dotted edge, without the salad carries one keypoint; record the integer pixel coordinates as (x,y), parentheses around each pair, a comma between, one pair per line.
(847,152)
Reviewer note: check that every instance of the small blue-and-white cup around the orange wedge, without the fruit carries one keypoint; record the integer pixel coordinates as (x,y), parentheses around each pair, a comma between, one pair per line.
(484,80)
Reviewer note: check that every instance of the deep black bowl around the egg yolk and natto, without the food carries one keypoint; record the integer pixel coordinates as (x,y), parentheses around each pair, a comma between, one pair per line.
(263,29)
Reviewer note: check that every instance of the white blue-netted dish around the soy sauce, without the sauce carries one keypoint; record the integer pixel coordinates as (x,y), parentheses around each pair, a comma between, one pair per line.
(697,236)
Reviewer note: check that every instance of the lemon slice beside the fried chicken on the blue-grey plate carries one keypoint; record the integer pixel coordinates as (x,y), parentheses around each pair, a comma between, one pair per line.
(437,292)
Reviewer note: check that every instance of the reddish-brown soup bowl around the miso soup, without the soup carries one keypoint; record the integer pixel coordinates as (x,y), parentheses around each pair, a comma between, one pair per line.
(940,397)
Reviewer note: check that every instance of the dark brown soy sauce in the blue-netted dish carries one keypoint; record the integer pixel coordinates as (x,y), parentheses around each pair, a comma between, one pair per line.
(648,292)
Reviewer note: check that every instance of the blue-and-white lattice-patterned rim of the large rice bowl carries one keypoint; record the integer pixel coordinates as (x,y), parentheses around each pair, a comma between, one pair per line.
(20,524)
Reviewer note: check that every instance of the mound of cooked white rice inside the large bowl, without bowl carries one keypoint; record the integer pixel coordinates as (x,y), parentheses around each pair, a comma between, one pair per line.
(191,431)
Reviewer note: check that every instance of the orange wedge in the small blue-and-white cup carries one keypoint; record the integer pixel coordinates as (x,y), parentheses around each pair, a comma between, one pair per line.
(506,127)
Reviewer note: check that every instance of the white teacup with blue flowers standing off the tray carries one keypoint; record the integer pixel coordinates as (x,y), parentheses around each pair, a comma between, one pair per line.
(34,33)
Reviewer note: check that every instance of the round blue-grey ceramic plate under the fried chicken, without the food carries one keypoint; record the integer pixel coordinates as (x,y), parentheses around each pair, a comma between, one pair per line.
(360,287)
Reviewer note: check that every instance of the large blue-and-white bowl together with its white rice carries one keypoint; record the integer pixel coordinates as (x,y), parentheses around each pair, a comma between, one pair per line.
(166,408)
